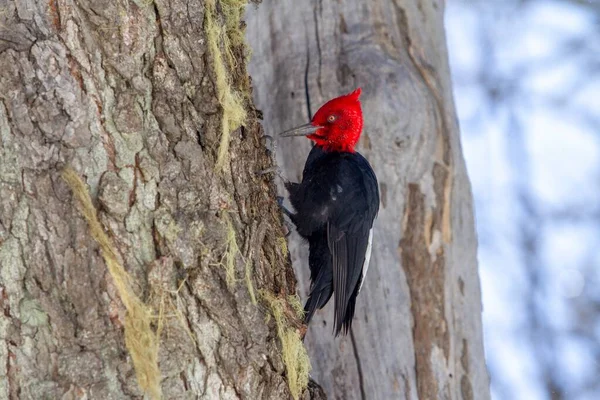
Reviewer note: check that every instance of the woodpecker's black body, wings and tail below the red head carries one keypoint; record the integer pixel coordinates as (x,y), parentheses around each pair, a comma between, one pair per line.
(335,206)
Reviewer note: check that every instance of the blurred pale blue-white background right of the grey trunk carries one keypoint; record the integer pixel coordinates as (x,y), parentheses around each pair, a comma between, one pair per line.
(526,77)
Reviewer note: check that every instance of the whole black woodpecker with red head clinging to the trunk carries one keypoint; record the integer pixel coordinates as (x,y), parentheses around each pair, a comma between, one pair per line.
(335,206)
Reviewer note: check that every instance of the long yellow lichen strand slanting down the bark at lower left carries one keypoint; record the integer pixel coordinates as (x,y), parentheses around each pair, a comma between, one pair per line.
(140,339)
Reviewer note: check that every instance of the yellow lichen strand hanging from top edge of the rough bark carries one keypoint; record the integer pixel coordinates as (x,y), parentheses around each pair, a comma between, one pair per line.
(226,36)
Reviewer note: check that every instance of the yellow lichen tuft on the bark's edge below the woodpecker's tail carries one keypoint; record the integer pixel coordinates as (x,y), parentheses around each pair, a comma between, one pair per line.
(295,357)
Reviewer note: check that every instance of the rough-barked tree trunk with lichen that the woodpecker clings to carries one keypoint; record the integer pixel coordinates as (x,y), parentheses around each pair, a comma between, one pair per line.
(138,105)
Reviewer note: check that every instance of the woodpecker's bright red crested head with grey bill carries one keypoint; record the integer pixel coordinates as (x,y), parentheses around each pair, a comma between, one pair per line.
(336,126)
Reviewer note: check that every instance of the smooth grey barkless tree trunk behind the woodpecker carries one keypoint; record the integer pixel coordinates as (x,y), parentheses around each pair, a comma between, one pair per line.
(417,331)
